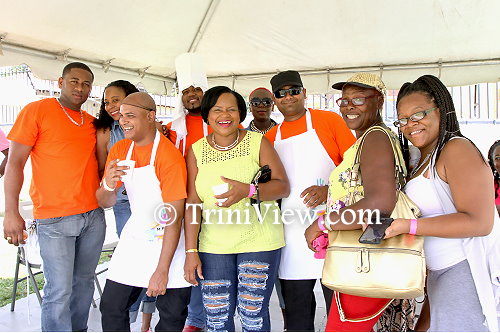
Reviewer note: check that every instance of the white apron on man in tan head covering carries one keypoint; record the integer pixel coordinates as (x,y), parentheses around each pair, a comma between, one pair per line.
(136,256)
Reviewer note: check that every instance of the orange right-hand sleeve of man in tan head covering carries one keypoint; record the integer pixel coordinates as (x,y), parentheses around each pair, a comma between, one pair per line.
(171,171)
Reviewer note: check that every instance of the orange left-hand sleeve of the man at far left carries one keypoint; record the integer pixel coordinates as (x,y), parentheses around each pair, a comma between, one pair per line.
(26,127)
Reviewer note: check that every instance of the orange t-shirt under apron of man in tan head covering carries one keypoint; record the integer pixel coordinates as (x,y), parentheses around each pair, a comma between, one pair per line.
(170,166)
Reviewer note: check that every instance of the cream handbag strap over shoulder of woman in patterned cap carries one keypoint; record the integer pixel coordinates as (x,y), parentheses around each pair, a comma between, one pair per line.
(400,166)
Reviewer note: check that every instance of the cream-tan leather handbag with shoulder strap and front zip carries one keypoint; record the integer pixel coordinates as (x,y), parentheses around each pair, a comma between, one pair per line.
(393,269)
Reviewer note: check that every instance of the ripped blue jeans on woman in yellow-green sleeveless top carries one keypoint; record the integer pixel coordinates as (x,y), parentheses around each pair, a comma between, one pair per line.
(242,281)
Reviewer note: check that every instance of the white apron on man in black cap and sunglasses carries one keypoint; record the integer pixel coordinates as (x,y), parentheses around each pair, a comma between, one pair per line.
(306,163)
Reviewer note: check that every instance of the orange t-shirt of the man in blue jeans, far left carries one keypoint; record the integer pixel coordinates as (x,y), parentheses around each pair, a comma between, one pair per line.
(63,158)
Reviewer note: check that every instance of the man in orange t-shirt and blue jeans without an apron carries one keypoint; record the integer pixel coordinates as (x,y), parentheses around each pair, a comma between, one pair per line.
(60,139)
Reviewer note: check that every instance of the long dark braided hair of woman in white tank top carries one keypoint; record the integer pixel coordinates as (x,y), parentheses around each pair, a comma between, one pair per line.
(437,92)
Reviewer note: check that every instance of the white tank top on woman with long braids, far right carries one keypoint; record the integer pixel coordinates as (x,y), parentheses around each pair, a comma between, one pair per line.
(440,253)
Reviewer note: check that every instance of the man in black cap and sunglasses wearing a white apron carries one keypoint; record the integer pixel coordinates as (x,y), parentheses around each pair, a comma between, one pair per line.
(310,144)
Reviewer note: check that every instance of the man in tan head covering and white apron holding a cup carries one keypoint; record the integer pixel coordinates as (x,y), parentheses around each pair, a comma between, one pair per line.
(150,253)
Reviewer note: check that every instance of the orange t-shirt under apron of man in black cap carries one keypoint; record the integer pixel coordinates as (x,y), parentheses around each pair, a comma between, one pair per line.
(331,129)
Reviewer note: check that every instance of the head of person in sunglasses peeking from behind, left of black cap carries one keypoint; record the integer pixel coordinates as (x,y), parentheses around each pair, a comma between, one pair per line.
(261,106)
